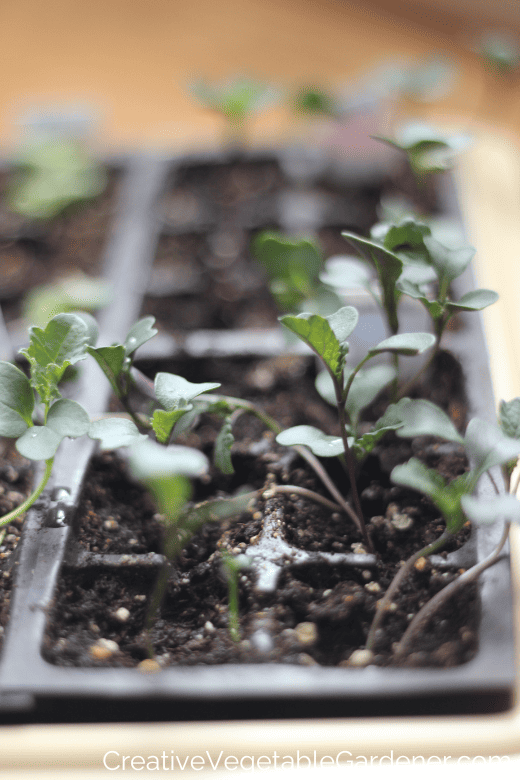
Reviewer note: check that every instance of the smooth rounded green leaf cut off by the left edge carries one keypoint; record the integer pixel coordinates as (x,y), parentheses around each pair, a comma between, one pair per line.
(16,401)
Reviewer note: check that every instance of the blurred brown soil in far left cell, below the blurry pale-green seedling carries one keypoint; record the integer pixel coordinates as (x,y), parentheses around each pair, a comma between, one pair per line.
(33,254)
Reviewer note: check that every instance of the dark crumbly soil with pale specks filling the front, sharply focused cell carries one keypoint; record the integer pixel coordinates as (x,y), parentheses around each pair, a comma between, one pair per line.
(318,614)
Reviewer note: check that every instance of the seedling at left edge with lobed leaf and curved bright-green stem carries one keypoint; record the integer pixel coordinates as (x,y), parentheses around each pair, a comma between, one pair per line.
(32,410)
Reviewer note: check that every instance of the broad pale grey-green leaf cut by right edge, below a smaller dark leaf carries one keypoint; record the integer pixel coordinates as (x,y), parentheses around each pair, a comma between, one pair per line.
(487,445)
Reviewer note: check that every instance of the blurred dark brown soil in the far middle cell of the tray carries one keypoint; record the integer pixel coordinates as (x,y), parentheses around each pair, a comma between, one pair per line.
(204,275)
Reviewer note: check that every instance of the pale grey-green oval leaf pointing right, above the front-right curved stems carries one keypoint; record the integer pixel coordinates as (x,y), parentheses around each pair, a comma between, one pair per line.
(423,418)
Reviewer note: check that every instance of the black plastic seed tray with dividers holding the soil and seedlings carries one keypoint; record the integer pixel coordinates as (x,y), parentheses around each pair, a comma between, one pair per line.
(33,689)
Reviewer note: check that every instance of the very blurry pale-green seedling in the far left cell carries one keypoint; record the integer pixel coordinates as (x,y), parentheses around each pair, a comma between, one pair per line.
(52,175)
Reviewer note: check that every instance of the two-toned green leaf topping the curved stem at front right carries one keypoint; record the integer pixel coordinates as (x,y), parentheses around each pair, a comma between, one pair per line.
(446,496)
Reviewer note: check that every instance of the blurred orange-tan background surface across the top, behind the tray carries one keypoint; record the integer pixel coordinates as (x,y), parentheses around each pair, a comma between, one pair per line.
(133,58)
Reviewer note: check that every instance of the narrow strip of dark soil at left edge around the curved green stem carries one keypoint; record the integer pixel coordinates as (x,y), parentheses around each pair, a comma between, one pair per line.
(15,486)
